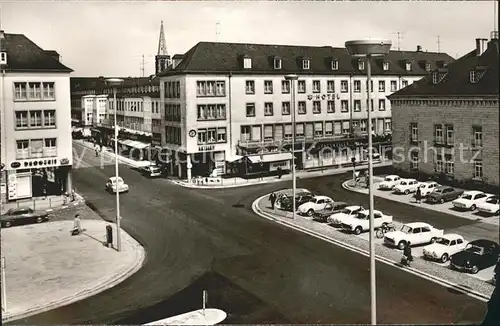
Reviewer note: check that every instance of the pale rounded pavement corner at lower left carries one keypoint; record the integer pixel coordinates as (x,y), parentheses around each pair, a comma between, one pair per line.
(46,267)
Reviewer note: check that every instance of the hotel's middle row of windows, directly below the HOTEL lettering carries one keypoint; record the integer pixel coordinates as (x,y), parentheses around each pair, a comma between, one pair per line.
(250,108)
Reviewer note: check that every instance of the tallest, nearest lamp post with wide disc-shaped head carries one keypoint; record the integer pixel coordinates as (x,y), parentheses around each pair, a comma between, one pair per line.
(370,48)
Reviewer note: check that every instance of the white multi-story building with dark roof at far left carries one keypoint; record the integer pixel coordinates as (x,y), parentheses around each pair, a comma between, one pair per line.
(36,149)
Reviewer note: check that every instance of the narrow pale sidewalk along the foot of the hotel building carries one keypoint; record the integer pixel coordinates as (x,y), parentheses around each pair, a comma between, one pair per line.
(241,182)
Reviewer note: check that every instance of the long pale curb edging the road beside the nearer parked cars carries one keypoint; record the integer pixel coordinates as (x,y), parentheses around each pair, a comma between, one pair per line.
(365,253)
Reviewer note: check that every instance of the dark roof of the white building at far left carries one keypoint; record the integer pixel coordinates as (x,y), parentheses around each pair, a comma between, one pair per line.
(23,55)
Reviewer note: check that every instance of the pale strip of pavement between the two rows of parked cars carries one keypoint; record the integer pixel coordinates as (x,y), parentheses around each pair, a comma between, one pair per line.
(446,208)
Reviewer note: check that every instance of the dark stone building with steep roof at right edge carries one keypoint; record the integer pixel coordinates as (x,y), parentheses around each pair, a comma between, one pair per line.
(447,123)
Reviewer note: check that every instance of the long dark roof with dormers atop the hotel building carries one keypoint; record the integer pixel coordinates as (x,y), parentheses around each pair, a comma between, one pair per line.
(212,57)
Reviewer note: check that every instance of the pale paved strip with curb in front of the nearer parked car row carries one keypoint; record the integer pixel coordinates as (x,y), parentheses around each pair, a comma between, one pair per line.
(439,274)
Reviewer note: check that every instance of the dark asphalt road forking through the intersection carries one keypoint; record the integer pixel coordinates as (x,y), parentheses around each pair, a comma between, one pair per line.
(212,238)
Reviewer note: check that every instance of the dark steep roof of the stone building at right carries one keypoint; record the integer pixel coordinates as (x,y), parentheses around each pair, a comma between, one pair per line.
(456,78)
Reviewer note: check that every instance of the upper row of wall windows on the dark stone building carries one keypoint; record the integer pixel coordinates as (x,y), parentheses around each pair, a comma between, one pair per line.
(445,134)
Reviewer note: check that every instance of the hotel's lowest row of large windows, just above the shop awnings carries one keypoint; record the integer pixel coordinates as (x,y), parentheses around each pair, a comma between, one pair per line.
(317,129)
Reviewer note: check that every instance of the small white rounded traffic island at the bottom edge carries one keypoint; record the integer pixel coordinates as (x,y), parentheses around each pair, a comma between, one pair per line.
(197,317)
